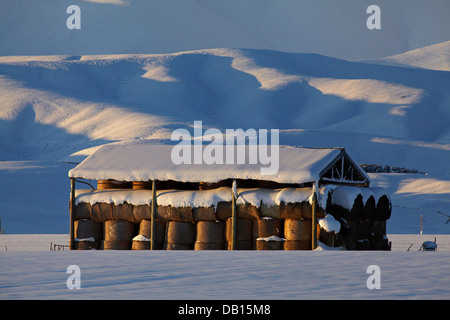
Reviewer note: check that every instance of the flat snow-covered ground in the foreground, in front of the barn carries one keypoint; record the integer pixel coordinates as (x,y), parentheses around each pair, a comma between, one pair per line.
(224,275)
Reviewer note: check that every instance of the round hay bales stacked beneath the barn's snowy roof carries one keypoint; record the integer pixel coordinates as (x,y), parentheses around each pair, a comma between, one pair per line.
(362,214)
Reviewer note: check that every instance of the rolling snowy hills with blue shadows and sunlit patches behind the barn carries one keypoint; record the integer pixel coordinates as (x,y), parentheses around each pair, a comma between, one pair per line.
(53,107)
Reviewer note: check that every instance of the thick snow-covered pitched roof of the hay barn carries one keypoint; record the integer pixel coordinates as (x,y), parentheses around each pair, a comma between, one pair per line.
(143,162)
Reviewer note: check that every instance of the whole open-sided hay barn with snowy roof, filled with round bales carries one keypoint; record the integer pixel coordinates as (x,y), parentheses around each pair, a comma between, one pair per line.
(143,201)
